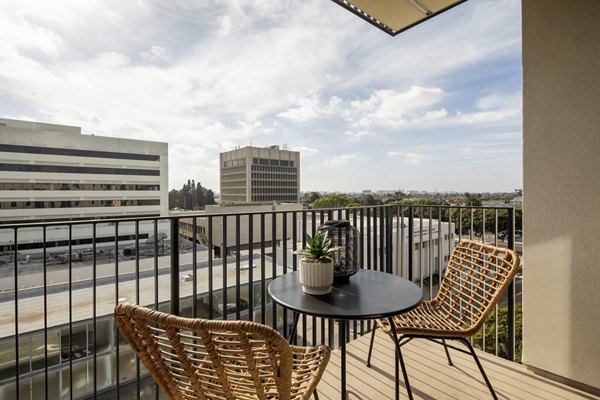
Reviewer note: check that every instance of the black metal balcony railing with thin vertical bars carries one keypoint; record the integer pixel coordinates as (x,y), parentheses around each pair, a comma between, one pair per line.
(60,281)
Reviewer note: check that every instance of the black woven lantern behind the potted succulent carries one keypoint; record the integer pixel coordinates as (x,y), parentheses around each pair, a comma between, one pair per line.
(345,259)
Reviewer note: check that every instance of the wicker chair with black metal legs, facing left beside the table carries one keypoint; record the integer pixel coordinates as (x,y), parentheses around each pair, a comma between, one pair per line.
(475,279)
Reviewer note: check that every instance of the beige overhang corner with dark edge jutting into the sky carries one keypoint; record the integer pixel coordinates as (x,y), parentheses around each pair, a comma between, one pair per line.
(395,16)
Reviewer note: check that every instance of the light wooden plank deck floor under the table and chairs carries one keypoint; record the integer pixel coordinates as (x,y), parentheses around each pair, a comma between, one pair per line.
(431,377)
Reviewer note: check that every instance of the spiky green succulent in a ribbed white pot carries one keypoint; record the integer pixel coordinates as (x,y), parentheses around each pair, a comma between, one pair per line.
(316,264)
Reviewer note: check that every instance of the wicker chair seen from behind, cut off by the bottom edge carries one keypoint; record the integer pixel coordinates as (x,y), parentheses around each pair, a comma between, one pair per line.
(207,359)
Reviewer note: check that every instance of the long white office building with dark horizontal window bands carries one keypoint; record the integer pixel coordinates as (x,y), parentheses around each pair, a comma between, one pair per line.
(53,172)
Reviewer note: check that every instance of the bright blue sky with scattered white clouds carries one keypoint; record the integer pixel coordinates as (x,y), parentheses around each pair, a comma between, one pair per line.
(437,107)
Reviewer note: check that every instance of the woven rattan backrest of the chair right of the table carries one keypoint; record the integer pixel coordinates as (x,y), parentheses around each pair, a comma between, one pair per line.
(476,277)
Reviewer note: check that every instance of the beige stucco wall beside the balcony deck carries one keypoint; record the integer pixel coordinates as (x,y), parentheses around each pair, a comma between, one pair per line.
(561,146)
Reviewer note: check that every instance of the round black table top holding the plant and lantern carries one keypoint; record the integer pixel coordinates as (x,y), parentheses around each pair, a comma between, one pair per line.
(368,295)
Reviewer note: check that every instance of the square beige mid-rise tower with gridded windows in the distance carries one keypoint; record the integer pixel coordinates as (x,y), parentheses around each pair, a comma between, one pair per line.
(260,175)
